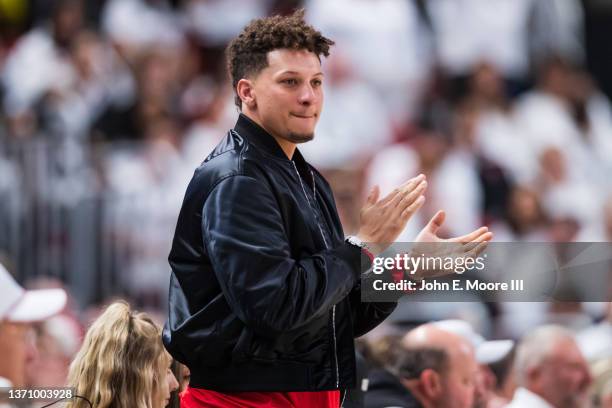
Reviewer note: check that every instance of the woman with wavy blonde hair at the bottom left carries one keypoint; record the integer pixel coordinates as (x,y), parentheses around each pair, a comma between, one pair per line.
(122,363)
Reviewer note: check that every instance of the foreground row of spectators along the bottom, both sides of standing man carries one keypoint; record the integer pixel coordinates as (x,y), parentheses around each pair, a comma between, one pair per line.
(119,361)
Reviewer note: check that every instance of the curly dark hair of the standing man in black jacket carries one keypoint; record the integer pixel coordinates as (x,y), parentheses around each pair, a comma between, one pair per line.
(247,54)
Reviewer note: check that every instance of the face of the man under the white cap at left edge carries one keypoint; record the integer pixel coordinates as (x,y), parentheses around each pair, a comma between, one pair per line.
(17,349)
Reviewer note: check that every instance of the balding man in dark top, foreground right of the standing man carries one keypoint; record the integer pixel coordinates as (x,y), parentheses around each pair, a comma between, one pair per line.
(434,367)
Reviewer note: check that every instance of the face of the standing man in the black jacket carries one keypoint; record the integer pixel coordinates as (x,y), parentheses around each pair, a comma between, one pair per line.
(288,95)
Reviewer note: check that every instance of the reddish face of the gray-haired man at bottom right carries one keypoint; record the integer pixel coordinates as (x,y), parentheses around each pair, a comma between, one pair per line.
(564,378)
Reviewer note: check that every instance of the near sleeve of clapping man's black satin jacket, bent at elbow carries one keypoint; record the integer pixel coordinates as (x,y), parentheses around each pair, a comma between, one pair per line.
(269,291)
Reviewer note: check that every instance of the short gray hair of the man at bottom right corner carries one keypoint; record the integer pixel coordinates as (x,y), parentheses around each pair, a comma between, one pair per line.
(536,347)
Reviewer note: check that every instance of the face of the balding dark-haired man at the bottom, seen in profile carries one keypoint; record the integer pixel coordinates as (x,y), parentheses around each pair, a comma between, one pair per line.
(459,381)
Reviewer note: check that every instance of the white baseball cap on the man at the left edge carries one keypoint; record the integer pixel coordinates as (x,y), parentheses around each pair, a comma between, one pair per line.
(20,305)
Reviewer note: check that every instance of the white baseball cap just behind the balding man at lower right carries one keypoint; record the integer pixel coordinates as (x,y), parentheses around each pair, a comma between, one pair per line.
(487,351)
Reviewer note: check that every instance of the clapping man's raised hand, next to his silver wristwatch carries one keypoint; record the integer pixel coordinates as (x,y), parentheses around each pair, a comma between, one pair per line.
(383,220)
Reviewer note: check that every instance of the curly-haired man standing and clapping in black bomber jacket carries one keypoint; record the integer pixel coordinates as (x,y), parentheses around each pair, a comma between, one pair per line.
(264,300)
